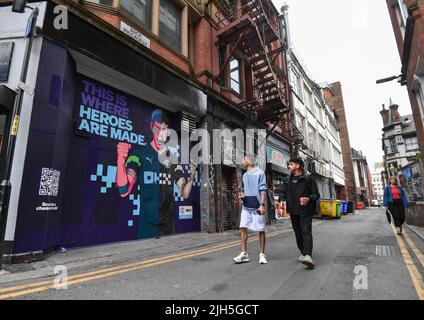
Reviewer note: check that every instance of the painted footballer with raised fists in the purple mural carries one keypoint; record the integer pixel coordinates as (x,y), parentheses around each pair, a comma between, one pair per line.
(155,178)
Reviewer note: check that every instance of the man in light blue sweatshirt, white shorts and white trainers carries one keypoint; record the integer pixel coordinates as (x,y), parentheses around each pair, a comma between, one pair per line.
(253,210)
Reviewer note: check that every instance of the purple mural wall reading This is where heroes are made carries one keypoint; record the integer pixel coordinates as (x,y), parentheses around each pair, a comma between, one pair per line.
(92,173)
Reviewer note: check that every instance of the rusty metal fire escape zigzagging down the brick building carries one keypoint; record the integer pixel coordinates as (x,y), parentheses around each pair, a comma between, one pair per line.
(252,30)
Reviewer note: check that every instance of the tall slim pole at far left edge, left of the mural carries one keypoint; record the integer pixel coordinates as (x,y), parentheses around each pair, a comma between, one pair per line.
(6,186)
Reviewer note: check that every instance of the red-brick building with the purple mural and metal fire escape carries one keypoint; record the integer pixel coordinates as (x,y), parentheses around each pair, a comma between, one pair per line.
(116,70)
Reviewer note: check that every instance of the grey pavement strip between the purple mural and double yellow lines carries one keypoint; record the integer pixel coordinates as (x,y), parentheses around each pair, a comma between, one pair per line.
(110,254)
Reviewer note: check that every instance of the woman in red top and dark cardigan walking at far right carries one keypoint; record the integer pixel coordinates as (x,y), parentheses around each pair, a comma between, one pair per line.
(395,201)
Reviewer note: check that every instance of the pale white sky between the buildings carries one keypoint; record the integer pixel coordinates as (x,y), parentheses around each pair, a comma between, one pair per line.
(351,42)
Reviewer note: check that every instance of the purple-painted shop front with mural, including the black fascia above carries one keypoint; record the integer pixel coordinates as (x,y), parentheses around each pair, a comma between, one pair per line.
(92,173)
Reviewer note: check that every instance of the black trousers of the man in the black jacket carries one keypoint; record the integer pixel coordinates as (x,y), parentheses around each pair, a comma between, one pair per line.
(302,226)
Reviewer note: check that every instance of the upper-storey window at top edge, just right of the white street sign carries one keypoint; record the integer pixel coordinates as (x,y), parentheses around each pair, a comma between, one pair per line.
(170,23)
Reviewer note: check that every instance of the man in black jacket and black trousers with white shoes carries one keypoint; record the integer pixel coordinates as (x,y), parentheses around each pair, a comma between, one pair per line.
(301,194)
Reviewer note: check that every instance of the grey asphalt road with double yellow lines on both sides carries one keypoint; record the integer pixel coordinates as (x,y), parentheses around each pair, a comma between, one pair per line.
(358,257)
